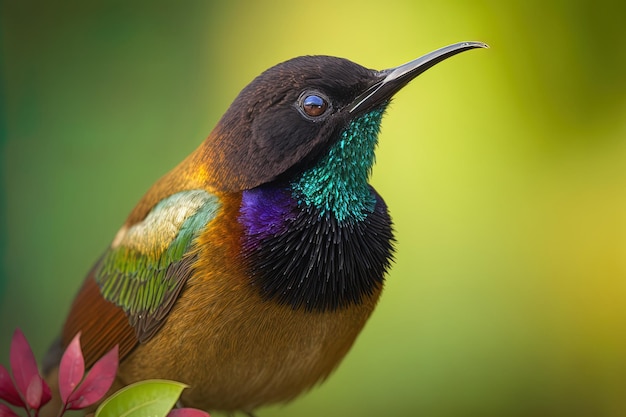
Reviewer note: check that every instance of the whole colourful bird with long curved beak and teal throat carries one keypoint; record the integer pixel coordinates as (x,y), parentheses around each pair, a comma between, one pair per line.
(248,271)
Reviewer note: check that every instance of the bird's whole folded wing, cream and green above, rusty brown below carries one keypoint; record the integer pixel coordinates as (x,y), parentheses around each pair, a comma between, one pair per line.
(131,290)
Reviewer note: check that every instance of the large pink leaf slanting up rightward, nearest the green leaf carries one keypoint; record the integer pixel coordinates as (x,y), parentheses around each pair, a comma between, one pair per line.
(97,382)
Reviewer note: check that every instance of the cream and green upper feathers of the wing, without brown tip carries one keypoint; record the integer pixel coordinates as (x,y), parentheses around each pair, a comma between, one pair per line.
(149,262)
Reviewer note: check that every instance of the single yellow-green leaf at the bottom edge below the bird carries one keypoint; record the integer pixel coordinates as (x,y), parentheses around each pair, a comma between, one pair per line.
(150,398)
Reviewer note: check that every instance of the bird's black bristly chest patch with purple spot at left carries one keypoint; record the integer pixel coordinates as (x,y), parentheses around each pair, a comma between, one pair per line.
(300,256)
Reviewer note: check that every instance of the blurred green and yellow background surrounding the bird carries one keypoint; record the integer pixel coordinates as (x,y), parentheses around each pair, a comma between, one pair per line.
(505,170)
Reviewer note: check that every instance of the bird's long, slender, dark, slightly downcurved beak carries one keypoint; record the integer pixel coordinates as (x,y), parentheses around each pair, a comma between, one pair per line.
(393,79)
